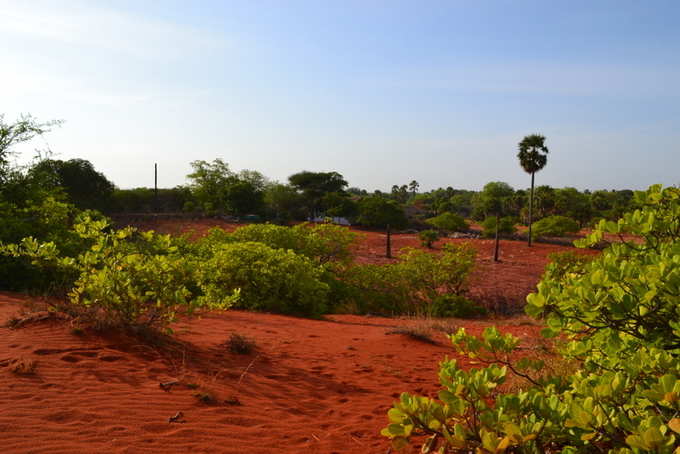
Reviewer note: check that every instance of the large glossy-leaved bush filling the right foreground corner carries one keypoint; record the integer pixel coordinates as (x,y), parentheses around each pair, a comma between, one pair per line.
(620,318)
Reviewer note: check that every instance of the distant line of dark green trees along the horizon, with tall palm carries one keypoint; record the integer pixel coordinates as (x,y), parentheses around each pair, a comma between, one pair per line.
(215,189)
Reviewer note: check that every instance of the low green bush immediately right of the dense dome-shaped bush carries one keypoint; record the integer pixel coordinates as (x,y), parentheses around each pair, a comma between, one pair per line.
(413,285)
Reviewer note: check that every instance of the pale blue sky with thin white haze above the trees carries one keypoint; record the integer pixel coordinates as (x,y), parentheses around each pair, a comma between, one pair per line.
(383,92)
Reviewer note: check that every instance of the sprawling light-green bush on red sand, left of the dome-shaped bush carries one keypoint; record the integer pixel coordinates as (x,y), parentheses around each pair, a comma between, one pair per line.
(129,278)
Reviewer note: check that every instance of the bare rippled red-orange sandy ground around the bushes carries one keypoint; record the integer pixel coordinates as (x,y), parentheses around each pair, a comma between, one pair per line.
(311,386)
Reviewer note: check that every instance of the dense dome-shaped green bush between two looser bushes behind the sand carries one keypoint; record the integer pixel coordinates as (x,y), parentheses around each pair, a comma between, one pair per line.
(268,279)
